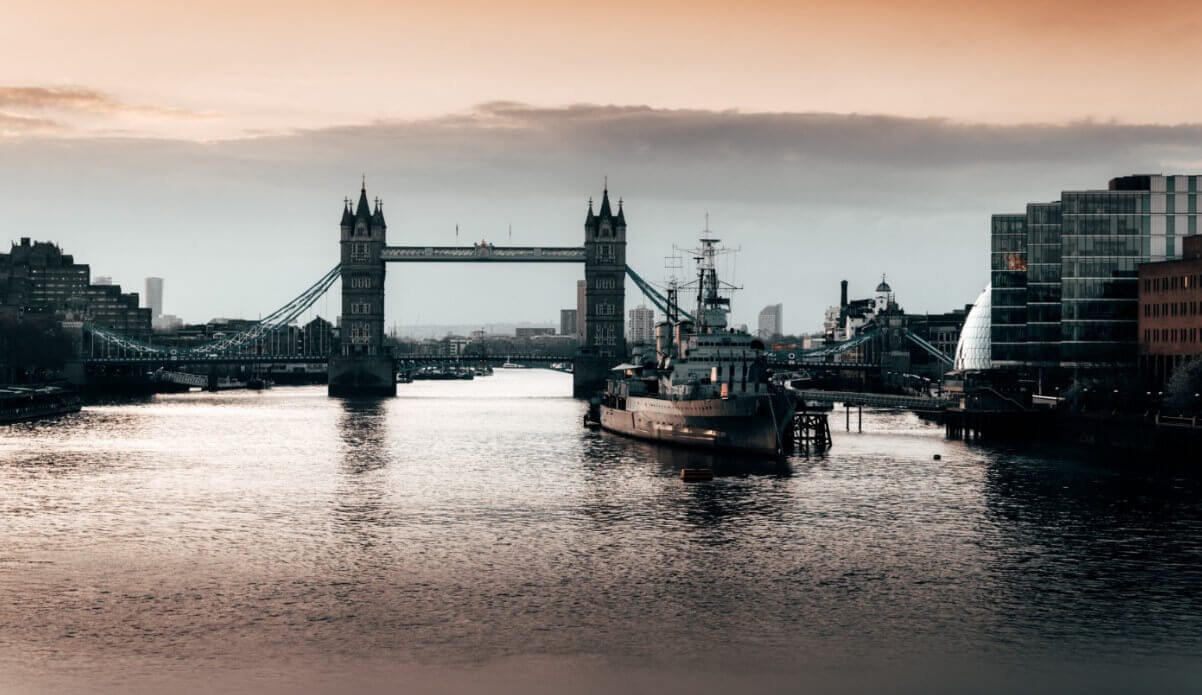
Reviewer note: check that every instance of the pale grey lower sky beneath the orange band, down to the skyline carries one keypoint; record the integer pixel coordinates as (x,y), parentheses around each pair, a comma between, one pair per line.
(812,198)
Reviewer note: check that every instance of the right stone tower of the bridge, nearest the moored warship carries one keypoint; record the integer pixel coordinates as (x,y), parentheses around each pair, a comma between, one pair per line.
(605,298)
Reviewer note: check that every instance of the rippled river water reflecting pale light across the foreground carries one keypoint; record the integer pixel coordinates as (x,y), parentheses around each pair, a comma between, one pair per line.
(473,537)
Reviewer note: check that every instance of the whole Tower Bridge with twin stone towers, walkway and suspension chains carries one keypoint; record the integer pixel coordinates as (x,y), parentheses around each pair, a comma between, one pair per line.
(364,365)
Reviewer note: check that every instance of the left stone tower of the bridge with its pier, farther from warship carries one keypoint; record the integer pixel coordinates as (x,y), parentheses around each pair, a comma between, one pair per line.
(362,366)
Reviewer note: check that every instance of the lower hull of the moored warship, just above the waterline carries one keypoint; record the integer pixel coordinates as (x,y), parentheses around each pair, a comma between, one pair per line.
(748,425)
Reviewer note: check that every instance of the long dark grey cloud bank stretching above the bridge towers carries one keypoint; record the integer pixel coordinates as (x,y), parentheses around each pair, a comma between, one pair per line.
(822,159)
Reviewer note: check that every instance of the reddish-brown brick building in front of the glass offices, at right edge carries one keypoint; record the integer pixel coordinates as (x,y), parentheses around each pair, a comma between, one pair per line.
(1171,312)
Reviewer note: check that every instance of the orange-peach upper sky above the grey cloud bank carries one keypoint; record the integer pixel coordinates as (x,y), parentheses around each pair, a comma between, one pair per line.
(234,68)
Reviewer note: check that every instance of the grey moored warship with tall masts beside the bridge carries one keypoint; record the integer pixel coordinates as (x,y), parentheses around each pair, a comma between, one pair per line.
(706,385)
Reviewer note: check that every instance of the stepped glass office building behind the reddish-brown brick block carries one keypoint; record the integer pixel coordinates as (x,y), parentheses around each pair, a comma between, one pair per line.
(1064,274)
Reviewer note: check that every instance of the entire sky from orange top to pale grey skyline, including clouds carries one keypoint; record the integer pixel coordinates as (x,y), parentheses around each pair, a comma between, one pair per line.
(213,144)
